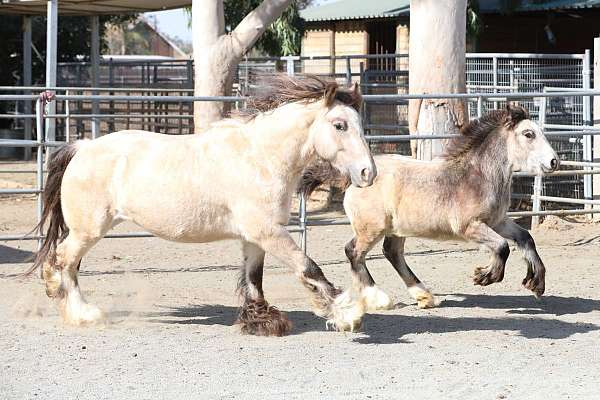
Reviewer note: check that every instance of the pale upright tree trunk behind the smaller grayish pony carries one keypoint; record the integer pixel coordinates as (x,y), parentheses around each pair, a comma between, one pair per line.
(436,65)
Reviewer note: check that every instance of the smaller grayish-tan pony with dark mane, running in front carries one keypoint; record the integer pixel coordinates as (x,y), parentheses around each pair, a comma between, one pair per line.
(463,195)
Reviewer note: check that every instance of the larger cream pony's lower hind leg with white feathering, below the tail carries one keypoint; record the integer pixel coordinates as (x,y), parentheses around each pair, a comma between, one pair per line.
(62,281)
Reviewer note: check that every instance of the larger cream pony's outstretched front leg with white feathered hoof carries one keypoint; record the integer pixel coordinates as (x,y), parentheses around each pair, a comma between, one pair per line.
(341,312)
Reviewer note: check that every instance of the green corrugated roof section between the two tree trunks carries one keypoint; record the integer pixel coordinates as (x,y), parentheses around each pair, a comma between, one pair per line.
(356,9)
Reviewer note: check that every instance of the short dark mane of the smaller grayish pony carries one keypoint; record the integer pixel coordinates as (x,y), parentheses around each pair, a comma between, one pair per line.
(477,131)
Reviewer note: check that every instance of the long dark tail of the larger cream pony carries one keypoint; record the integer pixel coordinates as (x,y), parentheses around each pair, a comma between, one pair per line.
(56,229)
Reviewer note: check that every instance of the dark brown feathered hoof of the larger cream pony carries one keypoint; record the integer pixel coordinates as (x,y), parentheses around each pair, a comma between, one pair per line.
(260,319)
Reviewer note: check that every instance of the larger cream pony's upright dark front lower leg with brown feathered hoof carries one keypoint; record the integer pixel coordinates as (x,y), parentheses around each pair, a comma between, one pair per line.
(256,316)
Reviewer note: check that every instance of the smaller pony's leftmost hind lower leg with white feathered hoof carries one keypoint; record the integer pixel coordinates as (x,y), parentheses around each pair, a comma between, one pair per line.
(363,283)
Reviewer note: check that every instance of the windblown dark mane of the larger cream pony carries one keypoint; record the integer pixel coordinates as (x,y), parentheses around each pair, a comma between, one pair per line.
(272,91)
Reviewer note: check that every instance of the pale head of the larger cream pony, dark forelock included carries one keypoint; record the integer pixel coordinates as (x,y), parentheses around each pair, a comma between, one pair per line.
(338,137)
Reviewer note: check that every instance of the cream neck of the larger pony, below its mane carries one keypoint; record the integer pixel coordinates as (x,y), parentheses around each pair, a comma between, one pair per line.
(281,139)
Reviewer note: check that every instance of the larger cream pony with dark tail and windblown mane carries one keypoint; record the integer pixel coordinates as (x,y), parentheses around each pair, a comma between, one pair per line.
(232,181)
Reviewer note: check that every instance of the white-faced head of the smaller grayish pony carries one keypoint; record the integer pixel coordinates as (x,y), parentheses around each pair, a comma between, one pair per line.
(528,148)
